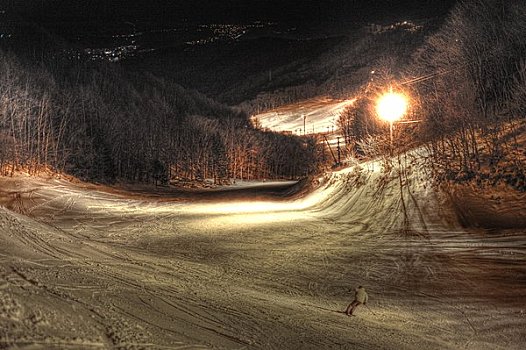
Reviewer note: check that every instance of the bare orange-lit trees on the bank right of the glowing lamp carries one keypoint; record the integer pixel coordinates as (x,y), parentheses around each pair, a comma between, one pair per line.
(473,91)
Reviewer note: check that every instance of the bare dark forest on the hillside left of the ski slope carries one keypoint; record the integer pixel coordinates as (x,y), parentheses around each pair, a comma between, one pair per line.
(99,123)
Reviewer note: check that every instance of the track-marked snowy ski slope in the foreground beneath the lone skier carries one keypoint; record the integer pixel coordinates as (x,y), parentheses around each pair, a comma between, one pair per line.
(84,268)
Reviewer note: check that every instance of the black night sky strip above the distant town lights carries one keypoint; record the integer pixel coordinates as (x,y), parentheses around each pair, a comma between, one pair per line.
(224,10)
